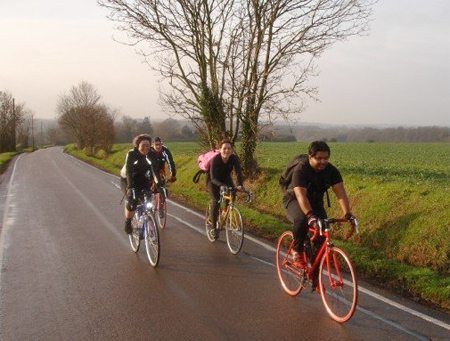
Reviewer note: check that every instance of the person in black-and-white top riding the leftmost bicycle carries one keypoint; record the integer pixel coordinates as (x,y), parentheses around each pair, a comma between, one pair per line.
(138,174)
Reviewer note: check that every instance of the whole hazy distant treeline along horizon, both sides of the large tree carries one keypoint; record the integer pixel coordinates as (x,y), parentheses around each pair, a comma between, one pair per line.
(125,128)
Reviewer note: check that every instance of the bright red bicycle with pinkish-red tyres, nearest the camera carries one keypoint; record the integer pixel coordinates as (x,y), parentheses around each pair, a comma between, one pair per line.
(329,266)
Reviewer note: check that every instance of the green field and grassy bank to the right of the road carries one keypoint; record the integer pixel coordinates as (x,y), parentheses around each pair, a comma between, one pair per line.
(399,192)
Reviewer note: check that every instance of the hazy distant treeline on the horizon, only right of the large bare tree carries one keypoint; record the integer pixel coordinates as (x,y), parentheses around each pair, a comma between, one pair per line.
(357,134)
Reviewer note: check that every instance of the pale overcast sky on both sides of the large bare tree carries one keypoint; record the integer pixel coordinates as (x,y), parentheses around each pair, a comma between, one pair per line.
(398,75)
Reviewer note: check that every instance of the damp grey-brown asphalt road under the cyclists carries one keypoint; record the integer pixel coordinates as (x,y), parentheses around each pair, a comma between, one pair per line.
(68,273)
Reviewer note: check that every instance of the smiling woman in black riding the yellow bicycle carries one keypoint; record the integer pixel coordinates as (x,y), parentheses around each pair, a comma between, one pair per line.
(219,177)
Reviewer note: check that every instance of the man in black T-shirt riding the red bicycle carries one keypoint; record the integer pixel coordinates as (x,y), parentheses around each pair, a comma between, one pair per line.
(310,180)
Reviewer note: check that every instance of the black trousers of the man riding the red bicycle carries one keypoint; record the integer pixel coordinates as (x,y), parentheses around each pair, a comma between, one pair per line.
(300,224)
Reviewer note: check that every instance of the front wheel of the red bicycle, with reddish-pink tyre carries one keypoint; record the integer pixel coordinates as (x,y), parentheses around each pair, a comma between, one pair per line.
(339,295)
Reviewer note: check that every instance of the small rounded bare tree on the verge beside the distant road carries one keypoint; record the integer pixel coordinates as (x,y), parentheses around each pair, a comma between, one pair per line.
(82,116)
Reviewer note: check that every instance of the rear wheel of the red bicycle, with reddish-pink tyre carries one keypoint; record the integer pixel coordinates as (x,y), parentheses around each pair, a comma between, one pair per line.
(291,278)
